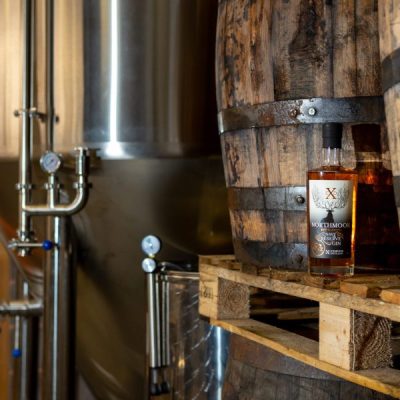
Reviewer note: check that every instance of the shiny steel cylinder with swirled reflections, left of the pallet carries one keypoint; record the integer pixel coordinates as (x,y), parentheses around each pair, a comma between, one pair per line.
(198,350)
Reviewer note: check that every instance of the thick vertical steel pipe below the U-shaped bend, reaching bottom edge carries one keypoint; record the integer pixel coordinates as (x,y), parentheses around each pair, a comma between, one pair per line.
(59,312)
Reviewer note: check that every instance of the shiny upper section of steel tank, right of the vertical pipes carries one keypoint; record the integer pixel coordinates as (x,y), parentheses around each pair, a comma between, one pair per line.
(133,78)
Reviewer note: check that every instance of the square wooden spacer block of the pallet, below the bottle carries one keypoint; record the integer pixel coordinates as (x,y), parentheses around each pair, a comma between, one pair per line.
(353,340)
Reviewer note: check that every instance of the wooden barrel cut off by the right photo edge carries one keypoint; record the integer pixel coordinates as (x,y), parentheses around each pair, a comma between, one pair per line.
(389,31)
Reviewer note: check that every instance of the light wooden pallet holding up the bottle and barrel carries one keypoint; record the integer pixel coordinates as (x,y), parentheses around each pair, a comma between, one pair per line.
(355,318)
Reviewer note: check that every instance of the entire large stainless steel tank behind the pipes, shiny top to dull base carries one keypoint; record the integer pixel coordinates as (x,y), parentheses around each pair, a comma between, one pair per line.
(133,79)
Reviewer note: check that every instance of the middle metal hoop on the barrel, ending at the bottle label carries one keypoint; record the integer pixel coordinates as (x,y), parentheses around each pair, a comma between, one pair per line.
(284,198)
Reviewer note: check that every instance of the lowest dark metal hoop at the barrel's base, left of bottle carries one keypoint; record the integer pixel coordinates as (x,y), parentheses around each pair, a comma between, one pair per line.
(274,255)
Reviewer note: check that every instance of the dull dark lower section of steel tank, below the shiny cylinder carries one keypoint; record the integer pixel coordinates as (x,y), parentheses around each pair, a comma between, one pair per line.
(182,201)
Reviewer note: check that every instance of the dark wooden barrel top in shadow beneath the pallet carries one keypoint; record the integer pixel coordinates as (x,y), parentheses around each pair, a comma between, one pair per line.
(258,373)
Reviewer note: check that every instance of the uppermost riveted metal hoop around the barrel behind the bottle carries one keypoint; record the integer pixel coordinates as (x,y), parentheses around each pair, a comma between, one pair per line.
(369,109)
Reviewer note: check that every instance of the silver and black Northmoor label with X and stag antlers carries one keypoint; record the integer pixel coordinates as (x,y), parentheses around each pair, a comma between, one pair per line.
(330,208)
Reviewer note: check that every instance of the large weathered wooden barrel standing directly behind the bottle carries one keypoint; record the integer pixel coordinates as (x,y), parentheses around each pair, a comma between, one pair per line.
(283,68)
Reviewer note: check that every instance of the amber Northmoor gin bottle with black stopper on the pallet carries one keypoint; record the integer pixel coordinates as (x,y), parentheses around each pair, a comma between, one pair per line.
(331,207)
